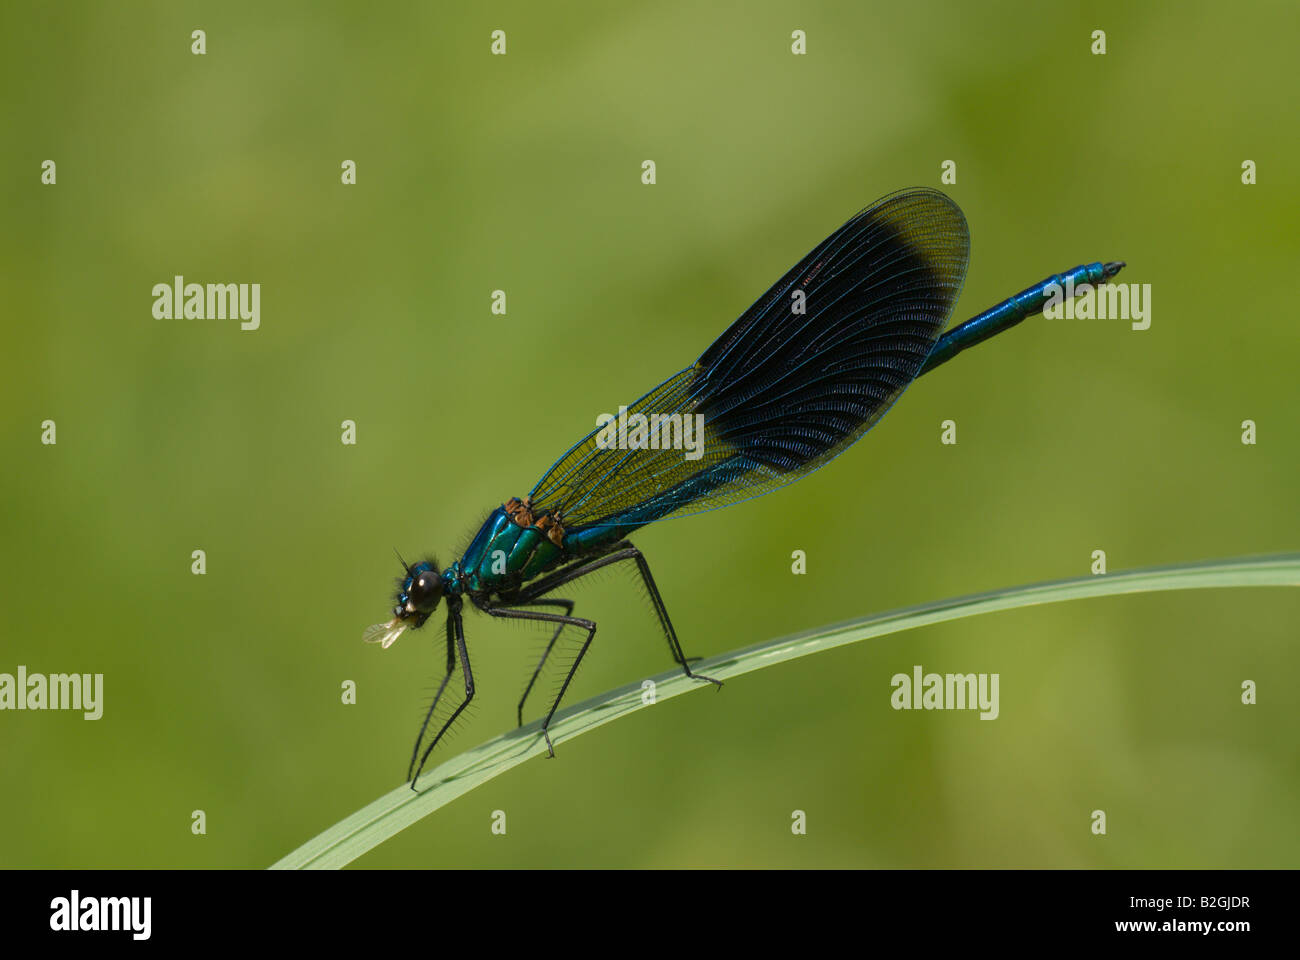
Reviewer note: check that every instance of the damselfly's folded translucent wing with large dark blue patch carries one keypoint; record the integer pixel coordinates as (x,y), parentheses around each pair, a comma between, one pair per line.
(781,392)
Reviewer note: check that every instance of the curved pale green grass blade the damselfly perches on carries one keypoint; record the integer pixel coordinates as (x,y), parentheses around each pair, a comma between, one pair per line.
(398,810)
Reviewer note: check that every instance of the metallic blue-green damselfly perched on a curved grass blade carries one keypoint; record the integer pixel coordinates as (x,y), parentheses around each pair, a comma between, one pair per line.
(811,367)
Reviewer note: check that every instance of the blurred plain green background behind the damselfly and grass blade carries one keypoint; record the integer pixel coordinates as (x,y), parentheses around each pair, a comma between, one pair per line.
(522,174)
